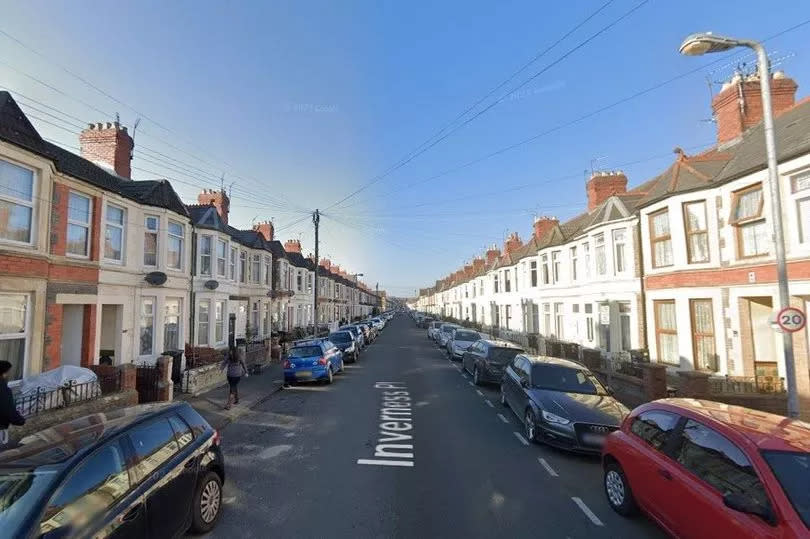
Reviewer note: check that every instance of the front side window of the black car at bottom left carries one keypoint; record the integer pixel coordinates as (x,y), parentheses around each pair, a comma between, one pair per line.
(95,486)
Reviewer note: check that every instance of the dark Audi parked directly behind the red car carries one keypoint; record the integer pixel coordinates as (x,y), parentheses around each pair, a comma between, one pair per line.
(560,402)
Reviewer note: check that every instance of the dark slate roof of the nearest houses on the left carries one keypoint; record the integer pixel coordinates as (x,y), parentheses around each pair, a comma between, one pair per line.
(17,130)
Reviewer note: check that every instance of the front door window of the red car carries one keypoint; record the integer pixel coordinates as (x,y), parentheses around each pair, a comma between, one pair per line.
(717,461)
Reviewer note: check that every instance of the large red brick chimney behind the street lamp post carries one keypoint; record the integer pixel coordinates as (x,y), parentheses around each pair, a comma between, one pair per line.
(738,106)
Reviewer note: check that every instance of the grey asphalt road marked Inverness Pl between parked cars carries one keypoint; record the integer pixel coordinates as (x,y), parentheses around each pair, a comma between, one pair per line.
(292,462)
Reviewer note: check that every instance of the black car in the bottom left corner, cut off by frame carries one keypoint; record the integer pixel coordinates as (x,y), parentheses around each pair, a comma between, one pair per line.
(153,470)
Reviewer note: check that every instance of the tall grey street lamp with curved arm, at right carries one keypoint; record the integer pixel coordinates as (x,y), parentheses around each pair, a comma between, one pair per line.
(702,43)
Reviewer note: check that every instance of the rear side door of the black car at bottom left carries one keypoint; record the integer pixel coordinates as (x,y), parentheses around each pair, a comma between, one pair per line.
(162,469)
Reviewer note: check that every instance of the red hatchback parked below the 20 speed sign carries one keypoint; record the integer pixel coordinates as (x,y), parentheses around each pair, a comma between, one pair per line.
(707,469)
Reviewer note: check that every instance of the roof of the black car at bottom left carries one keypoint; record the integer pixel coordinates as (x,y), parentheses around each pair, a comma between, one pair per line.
(69,441)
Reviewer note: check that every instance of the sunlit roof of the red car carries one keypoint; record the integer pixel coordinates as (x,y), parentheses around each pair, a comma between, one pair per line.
(767,431)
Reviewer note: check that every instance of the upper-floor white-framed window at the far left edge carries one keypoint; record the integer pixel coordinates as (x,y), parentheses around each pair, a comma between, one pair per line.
(16,202)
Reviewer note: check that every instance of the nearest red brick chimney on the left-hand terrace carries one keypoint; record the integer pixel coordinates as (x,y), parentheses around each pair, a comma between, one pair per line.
(109,145)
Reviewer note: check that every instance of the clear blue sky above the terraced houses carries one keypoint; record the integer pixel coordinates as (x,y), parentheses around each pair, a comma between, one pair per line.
(298,105)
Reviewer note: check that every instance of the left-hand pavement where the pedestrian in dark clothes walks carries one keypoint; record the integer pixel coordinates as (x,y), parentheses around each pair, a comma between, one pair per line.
(252,390)
